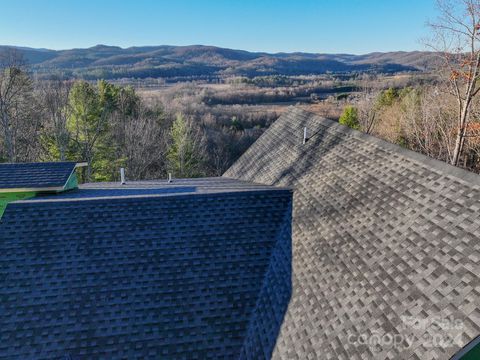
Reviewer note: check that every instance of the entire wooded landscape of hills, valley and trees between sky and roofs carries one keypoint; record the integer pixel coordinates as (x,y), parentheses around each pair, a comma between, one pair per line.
(193,110)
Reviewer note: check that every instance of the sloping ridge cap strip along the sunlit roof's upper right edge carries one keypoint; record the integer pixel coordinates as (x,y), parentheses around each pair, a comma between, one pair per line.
(444,168)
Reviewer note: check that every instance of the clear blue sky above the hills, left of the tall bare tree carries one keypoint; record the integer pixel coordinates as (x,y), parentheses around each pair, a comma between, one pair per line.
(331,26)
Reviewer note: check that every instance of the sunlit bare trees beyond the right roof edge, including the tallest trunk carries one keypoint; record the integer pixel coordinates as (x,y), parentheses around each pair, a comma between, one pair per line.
(440,119)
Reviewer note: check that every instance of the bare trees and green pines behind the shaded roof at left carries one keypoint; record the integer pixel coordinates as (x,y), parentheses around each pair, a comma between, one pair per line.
(108,126)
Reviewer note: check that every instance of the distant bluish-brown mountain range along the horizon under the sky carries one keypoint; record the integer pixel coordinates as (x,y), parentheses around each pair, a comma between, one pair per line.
(111,62)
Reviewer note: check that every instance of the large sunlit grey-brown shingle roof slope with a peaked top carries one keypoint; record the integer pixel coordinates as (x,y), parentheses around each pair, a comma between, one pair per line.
(386,243)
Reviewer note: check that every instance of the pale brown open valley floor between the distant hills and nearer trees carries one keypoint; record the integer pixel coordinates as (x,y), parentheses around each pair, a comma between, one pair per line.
(270,96)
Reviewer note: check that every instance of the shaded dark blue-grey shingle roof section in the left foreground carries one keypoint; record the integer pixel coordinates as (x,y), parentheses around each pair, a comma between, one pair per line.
(196,269)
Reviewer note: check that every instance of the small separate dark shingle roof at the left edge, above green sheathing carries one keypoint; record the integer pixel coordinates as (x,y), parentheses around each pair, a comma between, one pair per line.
(35,175)
